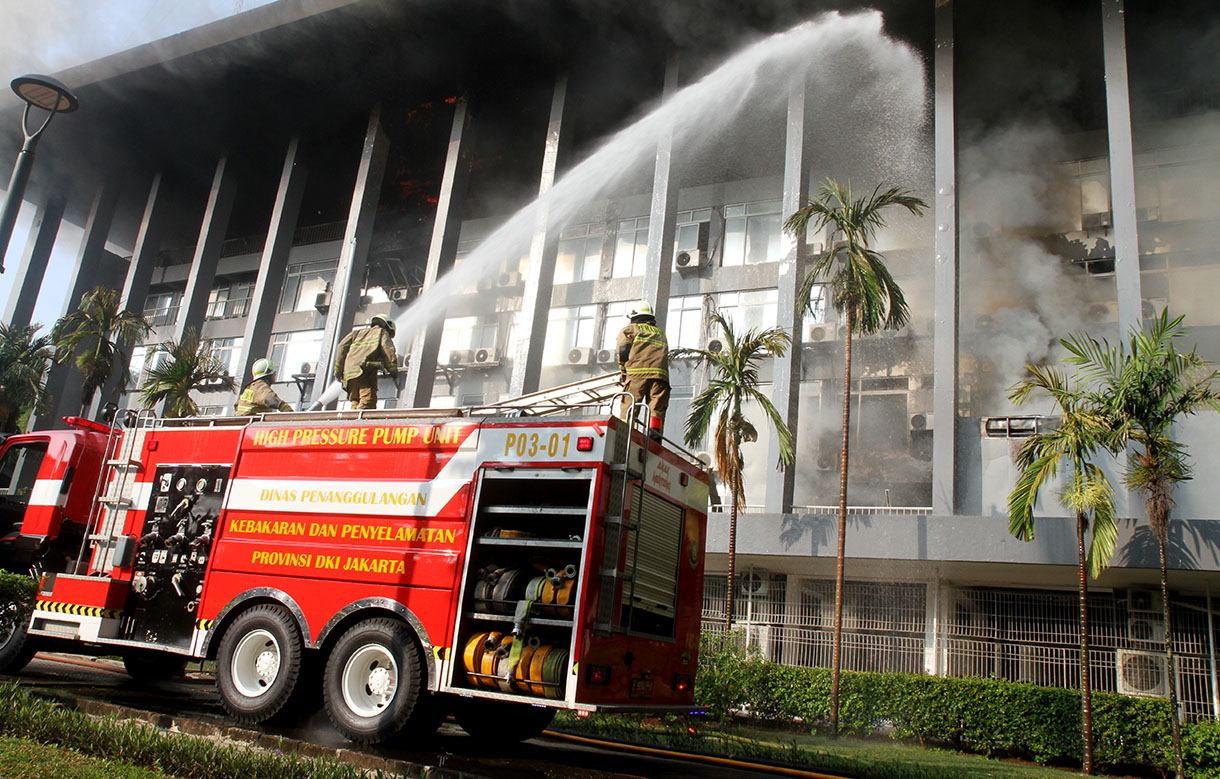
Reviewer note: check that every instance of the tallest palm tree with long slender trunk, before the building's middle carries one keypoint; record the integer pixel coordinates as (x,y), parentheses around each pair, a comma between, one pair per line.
(869,299)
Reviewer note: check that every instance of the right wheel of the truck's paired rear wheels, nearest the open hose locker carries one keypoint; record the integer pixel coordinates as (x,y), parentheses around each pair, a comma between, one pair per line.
(374,682)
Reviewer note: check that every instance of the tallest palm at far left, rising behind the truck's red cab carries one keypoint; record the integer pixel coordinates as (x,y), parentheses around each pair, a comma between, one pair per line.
(96,336)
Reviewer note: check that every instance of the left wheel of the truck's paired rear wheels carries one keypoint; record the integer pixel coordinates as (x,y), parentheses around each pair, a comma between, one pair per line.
(258,664)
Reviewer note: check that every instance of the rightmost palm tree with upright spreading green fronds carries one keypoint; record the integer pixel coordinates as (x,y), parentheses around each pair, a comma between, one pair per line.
(1149,386)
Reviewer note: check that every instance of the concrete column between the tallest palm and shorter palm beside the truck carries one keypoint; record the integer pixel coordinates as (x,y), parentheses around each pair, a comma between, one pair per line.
(786,379)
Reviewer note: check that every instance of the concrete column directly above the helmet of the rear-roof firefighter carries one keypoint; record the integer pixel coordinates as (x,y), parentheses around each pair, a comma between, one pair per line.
(663,214)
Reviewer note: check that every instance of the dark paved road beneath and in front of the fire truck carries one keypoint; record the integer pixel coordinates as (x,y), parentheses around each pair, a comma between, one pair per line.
(196,698)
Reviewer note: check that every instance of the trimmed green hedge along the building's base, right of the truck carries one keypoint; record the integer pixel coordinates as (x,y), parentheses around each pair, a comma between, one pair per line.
(984,716)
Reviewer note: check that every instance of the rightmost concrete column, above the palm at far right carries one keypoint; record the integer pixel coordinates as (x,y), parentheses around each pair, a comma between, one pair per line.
(1123,168)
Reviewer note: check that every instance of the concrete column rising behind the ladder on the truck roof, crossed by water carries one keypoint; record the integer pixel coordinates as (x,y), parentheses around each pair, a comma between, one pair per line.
(541,271)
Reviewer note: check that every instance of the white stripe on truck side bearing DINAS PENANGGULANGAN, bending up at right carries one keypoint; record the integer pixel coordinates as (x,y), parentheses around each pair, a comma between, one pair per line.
(380,497)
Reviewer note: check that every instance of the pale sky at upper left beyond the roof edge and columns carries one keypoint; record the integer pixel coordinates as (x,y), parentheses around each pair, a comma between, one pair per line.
(52,36)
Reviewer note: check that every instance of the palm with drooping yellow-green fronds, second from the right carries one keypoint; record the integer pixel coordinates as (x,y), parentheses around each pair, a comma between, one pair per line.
(1083,432)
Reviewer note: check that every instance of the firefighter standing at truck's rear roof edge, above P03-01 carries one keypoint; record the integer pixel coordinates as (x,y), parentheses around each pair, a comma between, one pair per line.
(645,365)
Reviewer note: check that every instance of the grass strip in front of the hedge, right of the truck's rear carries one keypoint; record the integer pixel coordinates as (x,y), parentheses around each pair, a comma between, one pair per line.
(868,759)
